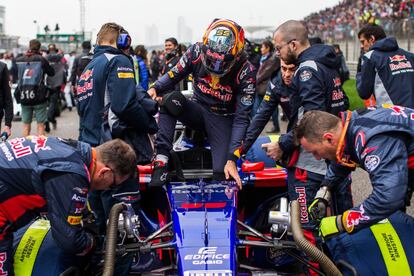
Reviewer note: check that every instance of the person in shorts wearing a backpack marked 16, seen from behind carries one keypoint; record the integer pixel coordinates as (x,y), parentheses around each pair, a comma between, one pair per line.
(31,90)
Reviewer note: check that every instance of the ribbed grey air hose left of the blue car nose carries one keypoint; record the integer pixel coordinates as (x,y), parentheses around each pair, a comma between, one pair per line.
(111,239)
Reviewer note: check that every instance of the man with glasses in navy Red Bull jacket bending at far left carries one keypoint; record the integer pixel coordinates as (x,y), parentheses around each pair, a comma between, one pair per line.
(47,174)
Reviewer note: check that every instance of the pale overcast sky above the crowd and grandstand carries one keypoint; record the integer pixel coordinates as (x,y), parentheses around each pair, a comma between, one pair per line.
(137,15)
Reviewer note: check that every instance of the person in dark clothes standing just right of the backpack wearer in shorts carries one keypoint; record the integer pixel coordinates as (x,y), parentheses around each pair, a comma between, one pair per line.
(55,84)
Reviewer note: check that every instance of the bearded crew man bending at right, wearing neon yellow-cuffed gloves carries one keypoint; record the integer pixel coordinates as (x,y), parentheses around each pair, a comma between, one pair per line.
(380,142)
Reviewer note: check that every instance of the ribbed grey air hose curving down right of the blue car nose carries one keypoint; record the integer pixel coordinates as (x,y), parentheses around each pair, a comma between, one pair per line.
(312,251)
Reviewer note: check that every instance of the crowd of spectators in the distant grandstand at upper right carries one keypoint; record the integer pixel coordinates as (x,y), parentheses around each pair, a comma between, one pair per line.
(340,22)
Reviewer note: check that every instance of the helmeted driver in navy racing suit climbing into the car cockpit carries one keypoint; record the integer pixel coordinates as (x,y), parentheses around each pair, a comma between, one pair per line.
(224,86)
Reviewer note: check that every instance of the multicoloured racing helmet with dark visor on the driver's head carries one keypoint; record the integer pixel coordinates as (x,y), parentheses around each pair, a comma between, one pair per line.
(223,43)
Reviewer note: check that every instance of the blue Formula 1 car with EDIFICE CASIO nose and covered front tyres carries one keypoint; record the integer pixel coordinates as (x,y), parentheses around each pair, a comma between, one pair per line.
(202,225)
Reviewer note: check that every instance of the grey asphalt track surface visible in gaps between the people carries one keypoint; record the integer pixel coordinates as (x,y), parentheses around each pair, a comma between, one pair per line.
(68,123)
